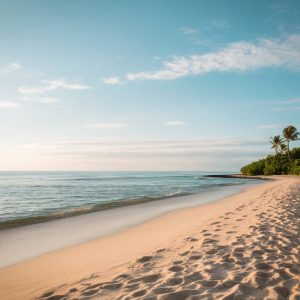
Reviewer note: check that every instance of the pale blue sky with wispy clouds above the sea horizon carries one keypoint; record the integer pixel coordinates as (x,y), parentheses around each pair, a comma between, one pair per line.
(146,85)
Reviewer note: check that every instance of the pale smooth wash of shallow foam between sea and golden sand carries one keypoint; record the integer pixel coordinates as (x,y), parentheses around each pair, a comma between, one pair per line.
(66,232)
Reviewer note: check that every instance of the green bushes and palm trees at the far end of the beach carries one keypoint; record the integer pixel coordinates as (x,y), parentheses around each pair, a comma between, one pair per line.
(285,161)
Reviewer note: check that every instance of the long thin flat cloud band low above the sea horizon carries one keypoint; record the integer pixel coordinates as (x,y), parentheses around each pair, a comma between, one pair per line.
(184,146)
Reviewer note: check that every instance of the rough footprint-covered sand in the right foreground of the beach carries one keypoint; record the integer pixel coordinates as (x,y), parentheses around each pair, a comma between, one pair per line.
(218,262)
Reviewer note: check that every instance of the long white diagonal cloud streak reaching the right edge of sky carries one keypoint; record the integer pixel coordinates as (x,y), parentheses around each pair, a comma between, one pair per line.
(236,57)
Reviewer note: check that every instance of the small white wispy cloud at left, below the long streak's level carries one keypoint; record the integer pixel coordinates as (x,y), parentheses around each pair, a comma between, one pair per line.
(52,85)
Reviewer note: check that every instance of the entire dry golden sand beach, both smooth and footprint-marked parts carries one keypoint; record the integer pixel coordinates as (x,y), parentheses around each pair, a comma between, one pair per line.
(245,246)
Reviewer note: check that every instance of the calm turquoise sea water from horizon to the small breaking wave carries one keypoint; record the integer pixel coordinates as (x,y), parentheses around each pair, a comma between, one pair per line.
(27,197)
